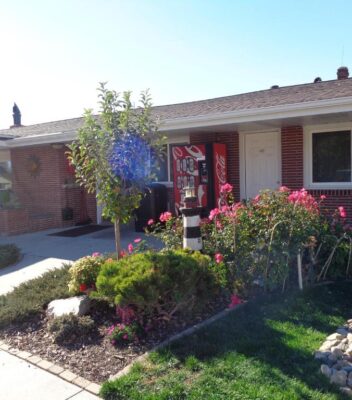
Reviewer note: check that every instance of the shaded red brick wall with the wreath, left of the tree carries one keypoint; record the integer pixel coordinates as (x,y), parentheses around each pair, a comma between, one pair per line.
(45,194)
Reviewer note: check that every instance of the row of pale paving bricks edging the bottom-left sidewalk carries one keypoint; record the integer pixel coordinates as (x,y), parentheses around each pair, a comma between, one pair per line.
(54,369)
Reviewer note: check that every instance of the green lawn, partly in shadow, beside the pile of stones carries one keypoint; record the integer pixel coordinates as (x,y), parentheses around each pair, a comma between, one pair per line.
(265,350)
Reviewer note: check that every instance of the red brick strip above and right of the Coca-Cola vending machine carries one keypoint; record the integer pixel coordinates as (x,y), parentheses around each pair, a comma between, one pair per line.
(231,139)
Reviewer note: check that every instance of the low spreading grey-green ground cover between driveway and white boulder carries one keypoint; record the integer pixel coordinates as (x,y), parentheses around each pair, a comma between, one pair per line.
(30,298)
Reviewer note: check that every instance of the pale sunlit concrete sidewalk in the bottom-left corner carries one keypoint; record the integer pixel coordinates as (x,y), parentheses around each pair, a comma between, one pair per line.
(21,380)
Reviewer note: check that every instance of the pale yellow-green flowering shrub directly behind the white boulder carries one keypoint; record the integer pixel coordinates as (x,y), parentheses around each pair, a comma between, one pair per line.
(84,273)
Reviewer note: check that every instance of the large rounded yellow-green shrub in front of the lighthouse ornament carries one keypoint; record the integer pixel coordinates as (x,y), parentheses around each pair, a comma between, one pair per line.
(159,283)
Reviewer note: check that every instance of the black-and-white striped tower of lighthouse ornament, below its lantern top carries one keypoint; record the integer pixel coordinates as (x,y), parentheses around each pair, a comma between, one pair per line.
(192,238)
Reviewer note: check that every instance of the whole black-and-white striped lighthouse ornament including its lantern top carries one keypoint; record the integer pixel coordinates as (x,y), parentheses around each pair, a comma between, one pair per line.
(192,238)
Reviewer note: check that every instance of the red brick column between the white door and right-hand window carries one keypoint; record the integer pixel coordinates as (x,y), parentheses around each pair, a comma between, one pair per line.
(292,156)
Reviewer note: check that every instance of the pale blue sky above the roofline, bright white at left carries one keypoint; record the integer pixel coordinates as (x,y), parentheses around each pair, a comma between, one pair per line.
(54,53)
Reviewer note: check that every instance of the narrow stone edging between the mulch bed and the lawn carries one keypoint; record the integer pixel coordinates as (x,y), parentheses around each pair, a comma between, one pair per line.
(187,332)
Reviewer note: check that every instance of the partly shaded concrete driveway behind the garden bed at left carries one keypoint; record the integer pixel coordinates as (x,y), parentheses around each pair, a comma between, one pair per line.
(42,252)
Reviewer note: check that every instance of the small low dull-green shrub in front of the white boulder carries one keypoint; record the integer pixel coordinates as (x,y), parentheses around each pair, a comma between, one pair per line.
(67,328)
